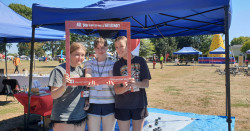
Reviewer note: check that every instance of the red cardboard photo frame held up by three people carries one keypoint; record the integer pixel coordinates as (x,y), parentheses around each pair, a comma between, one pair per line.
(101,25)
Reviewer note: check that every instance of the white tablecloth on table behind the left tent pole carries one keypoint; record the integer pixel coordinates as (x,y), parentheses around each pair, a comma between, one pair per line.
(24,80)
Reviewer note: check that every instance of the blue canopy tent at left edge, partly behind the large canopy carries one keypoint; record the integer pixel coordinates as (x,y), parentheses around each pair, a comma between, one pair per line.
(16,28)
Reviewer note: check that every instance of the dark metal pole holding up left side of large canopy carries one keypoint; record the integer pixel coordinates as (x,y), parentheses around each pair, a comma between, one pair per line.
(31,72)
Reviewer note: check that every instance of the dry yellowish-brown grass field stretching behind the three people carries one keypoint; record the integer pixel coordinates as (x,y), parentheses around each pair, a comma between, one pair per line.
(195,88)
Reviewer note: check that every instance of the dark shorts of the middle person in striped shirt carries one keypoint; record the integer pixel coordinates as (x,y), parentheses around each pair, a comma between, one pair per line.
(101,109)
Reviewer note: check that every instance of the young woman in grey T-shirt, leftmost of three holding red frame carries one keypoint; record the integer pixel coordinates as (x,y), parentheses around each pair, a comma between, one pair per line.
(68,103)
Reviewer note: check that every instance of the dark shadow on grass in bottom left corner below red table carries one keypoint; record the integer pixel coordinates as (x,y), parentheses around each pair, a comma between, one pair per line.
(17,124)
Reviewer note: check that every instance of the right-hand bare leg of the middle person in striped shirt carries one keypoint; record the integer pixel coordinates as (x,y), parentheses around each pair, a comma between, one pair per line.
(108,122)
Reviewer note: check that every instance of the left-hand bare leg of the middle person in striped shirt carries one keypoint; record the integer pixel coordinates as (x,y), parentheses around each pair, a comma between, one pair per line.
(94,123)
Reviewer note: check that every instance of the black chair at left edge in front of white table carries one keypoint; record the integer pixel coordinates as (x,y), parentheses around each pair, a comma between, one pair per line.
(11,86)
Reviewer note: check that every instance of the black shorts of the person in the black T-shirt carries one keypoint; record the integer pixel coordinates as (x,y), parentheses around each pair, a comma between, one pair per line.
(134,114)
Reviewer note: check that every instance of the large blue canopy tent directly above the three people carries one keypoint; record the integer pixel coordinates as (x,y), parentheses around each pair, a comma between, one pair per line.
(149,19)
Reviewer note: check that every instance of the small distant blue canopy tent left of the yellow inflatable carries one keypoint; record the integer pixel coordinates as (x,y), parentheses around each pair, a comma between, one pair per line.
(188,51)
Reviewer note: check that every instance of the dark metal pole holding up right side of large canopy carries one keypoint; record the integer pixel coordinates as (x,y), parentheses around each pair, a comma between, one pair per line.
(229,121)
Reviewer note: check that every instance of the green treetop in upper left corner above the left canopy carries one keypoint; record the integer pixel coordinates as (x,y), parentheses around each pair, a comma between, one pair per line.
(22,10)
